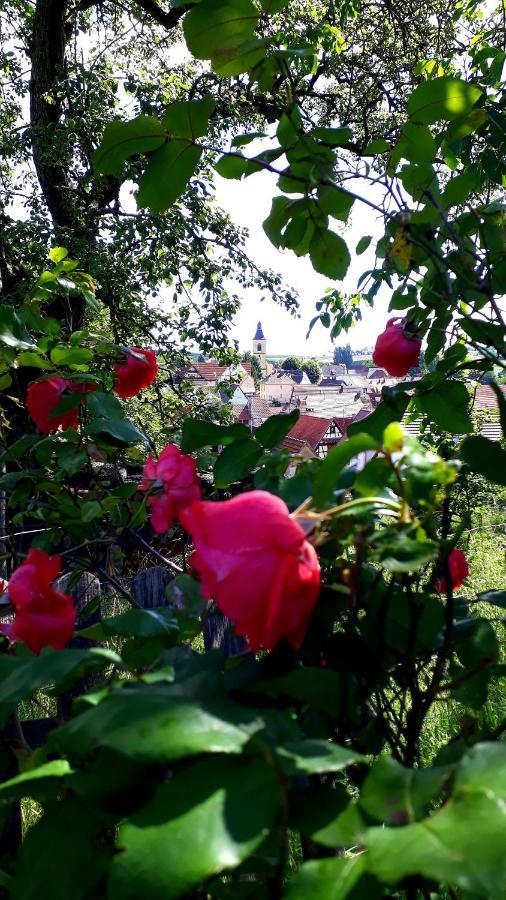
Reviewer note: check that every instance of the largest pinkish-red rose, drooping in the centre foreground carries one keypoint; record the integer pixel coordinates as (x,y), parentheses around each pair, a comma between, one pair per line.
(255,562)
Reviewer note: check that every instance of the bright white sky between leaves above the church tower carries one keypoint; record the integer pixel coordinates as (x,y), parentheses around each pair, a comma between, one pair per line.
(248,203)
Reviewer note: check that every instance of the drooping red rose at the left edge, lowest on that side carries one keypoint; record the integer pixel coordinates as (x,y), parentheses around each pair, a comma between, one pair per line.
(43,617)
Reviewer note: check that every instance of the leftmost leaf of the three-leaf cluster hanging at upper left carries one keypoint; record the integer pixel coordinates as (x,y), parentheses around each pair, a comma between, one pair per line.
(122,140)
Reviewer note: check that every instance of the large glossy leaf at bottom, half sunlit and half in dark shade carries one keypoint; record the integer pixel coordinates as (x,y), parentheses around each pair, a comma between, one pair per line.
(206,819)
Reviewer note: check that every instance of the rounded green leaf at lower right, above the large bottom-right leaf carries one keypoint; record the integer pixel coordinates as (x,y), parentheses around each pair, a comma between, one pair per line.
(396,795)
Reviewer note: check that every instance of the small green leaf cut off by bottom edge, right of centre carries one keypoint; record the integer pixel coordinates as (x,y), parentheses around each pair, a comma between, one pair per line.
(333,879)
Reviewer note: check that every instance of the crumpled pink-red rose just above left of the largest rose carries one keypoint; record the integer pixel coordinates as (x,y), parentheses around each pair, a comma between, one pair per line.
(178,482)
